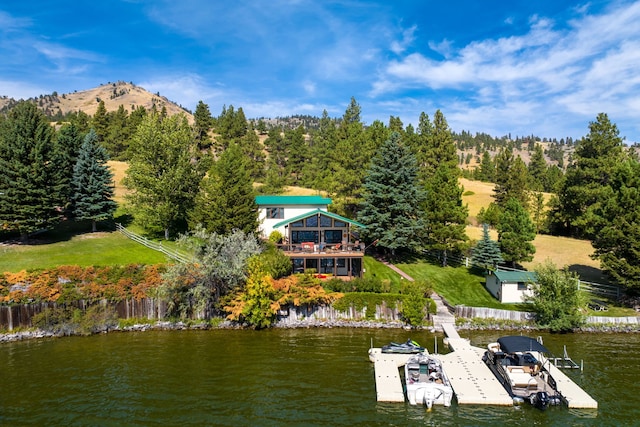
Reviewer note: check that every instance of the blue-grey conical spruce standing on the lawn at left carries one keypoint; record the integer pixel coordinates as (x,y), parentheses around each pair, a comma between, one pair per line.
(92,183)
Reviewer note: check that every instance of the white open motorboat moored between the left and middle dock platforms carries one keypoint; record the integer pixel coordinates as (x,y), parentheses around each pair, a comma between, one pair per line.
(426,381)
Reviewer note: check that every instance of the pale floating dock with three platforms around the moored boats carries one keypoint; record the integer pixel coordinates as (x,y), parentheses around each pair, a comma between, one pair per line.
(472,380)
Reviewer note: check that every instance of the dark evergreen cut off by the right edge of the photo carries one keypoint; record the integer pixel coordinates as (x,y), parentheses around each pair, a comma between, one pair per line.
(617,242)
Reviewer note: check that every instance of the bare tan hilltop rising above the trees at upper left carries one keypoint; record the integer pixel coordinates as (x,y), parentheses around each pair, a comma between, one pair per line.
(115,94)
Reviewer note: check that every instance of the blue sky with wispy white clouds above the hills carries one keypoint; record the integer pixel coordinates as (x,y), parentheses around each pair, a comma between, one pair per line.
(542,67)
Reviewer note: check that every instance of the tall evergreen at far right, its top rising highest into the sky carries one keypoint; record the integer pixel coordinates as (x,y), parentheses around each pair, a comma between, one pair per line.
(587,181)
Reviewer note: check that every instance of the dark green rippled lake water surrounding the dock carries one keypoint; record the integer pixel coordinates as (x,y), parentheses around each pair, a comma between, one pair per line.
(301,377)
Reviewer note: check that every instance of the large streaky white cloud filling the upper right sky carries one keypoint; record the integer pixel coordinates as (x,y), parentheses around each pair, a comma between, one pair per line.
(532,79)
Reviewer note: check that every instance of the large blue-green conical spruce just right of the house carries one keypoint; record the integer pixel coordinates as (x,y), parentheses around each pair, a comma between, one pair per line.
(392,198)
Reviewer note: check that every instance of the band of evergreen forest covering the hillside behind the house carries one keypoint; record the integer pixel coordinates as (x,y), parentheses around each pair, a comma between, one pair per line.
(187,171)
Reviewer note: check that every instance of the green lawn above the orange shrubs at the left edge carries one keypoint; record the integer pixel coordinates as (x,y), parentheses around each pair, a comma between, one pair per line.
(101,248)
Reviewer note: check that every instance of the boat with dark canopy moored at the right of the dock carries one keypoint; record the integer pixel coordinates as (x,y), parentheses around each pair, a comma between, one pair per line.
(517,363)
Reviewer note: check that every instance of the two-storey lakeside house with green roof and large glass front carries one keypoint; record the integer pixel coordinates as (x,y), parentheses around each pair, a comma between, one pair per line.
(314,238)
